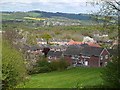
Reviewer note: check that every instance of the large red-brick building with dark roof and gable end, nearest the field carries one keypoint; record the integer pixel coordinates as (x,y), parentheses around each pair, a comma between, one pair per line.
(85,55)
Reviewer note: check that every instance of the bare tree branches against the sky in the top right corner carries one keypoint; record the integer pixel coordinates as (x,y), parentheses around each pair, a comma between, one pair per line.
(109,7)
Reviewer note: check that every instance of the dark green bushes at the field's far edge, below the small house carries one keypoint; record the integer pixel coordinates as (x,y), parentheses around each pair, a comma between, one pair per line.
(44,66)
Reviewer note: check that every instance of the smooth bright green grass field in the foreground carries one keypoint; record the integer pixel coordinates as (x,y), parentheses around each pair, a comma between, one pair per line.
(72,78)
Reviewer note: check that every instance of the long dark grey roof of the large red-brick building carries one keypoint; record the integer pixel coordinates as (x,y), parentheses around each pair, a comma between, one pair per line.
(84,50)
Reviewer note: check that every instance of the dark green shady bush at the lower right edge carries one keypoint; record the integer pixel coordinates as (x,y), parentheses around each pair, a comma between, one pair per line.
(111,73)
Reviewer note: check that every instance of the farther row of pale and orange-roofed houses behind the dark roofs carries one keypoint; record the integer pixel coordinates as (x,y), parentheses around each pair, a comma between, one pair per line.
(86,39)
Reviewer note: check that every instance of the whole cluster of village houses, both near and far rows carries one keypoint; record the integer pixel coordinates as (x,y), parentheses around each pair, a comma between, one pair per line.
(86,53)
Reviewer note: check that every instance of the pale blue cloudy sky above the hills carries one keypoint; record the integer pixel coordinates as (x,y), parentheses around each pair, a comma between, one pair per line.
(65,6)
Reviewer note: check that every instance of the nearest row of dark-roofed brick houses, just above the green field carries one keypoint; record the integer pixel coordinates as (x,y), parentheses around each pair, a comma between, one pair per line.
(76,55)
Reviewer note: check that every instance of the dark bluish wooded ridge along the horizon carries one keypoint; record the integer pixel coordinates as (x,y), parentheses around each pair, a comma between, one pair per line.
(66,15)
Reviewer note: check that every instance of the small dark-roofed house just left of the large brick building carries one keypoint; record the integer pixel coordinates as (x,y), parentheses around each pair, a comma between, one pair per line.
(54,55)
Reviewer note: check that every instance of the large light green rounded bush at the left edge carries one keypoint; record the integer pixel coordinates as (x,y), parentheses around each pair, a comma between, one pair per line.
(13,67)
